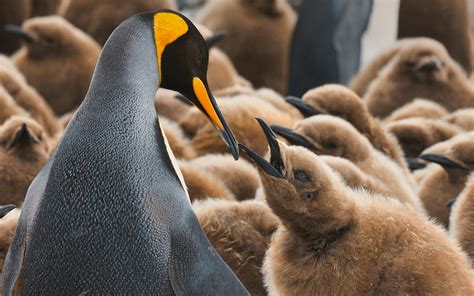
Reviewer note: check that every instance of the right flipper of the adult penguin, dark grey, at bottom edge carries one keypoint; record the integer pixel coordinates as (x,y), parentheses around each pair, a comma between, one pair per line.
(196,268)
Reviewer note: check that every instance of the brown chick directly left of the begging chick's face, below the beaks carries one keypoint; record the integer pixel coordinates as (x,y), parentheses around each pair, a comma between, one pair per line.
(240,177)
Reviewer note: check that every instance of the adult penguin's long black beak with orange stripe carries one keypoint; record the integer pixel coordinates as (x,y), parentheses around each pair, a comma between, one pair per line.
(204,100)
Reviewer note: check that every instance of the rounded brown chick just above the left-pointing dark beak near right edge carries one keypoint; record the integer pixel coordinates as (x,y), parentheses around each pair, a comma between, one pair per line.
(417,134)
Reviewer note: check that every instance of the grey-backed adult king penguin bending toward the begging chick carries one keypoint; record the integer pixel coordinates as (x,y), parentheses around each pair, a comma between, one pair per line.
(109,213)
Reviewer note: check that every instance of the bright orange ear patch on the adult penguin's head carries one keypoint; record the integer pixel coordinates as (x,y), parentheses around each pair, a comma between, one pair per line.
(167,27)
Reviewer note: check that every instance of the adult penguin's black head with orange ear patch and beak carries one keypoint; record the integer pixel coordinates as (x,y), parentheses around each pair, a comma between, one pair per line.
(183,57)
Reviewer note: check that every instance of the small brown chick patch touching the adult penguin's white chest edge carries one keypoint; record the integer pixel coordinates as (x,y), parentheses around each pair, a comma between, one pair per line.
(203,185)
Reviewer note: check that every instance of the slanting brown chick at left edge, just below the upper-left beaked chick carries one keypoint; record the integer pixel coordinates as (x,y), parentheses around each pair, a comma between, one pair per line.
(28,98)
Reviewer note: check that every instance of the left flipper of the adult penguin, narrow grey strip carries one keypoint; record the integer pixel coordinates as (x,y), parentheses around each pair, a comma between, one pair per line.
(14,260)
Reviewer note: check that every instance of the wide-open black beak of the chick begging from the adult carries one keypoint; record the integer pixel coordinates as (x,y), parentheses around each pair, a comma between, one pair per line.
(275,167)
